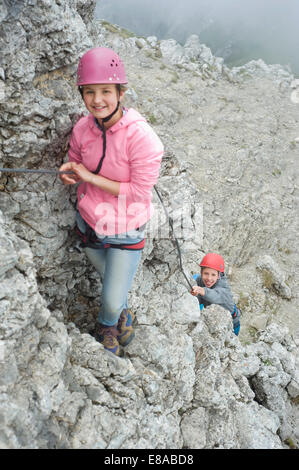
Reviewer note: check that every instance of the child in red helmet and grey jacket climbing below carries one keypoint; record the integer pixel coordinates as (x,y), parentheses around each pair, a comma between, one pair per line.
(213,288)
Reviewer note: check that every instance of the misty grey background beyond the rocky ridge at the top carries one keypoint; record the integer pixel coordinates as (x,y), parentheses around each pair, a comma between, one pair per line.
(237,30)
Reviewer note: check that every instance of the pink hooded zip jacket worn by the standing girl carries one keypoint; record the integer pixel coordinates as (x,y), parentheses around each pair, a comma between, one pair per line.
(133,157)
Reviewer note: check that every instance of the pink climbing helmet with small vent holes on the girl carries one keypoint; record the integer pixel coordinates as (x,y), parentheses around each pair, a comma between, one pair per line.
(101,65)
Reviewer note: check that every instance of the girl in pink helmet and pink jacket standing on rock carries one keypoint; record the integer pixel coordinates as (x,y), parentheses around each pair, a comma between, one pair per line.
(115,157)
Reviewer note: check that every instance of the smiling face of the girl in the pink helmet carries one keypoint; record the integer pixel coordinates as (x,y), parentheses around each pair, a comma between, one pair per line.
(101,100)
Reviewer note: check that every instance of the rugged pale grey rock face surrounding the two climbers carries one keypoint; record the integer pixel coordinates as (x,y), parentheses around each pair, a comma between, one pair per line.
(228,180)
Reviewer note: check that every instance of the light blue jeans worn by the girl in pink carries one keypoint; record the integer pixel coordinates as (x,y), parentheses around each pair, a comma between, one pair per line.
(117,269)
